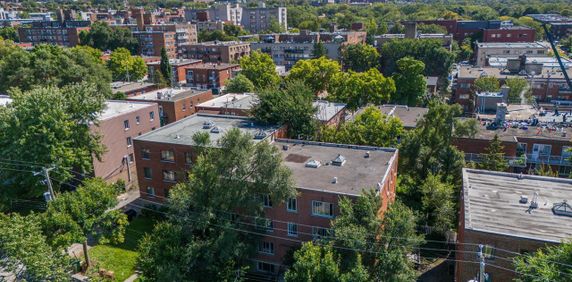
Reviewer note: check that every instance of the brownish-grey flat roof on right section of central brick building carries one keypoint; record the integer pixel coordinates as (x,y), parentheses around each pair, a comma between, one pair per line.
(357,173)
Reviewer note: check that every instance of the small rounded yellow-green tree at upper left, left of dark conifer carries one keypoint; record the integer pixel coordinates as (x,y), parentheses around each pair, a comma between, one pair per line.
(123,66)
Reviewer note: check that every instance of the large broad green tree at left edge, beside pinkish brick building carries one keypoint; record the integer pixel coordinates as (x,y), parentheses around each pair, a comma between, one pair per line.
(50,126)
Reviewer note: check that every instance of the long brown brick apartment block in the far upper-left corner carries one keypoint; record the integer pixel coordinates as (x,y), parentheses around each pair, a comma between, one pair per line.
(64,33)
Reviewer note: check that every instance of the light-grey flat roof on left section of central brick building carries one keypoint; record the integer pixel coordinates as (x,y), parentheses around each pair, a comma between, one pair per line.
(182,131)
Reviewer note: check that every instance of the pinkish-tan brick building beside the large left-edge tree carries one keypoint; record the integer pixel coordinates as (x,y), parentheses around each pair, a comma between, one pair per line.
(119,124)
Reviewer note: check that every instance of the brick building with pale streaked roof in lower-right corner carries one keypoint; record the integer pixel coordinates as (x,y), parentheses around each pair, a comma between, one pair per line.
(497,210)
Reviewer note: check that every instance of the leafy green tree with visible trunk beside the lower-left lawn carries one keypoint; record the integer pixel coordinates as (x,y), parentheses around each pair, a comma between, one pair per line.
(76,217)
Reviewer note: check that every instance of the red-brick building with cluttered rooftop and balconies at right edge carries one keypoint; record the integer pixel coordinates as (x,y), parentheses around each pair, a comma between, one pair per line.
(532,139)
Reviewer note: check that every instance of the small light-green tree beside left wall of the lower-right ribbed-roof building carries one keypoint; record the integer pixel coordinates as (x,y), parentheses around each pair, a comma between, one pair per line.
(438,206)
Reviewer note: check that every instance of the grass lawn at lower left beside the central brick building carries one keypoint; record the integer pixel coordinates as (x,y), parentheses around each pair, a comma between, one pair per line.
(122,258)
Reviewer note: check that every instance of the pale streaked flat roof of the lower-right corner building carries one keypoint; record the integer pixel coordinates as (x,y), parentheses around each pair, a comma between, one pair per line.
(491,202)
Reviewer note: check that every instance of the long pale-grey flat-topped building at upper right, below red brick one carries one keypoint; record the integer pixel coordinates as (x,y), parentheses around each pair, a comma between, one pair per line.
(486,50)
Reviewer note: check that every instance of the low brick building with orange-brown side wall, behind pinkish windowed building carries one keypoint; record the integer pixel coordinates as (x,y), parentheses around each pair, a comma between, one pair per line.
(174,103)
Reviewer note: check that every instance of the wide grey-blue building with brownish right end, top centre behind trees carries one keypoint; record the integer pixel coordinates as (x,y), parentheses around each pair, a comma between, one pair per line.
(288,48)
